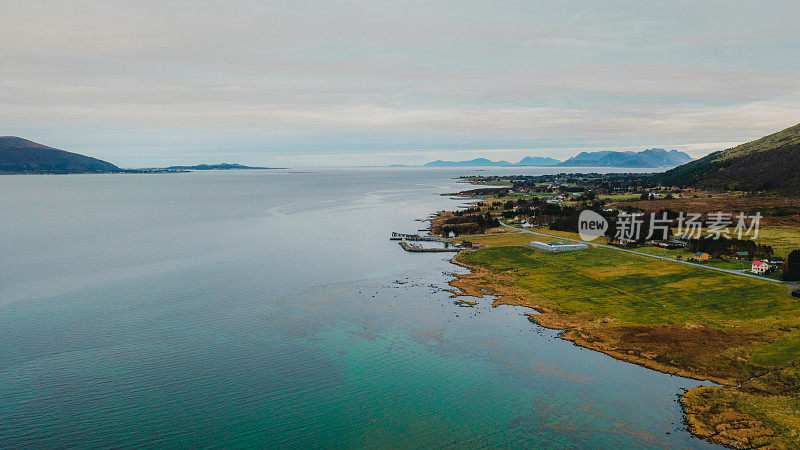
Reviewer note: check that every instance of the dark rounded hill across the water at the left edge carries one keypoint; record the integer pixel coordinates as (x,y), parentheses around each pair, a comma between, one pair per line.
(19,155)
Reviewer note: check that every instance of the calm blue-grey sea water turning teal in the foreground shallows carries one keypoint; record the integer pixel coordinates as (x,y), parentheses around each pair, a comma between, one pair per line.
(269,309)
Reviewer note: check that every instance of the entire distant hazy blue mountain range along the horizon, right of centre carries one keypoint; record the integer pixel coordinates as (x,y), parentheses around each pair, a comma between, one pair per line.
(650,158)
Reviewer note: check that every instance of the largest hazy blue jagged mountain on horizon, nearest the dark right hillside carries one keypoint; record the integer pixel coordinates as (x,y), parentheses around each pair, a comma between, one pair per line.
(654,157)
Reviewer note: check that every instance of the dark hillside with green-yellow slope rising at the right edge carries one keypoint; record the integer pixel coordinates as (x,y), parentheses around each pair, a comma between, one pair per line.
(769,163)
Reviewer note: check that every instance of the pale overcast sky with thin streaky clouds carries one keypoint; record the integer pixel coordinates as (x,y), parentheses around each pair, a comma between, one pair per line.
(344,83)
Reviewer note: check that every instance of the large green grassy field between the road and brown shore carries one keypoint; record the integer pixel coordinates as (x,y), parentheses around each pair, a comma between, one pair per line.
(636,289)
